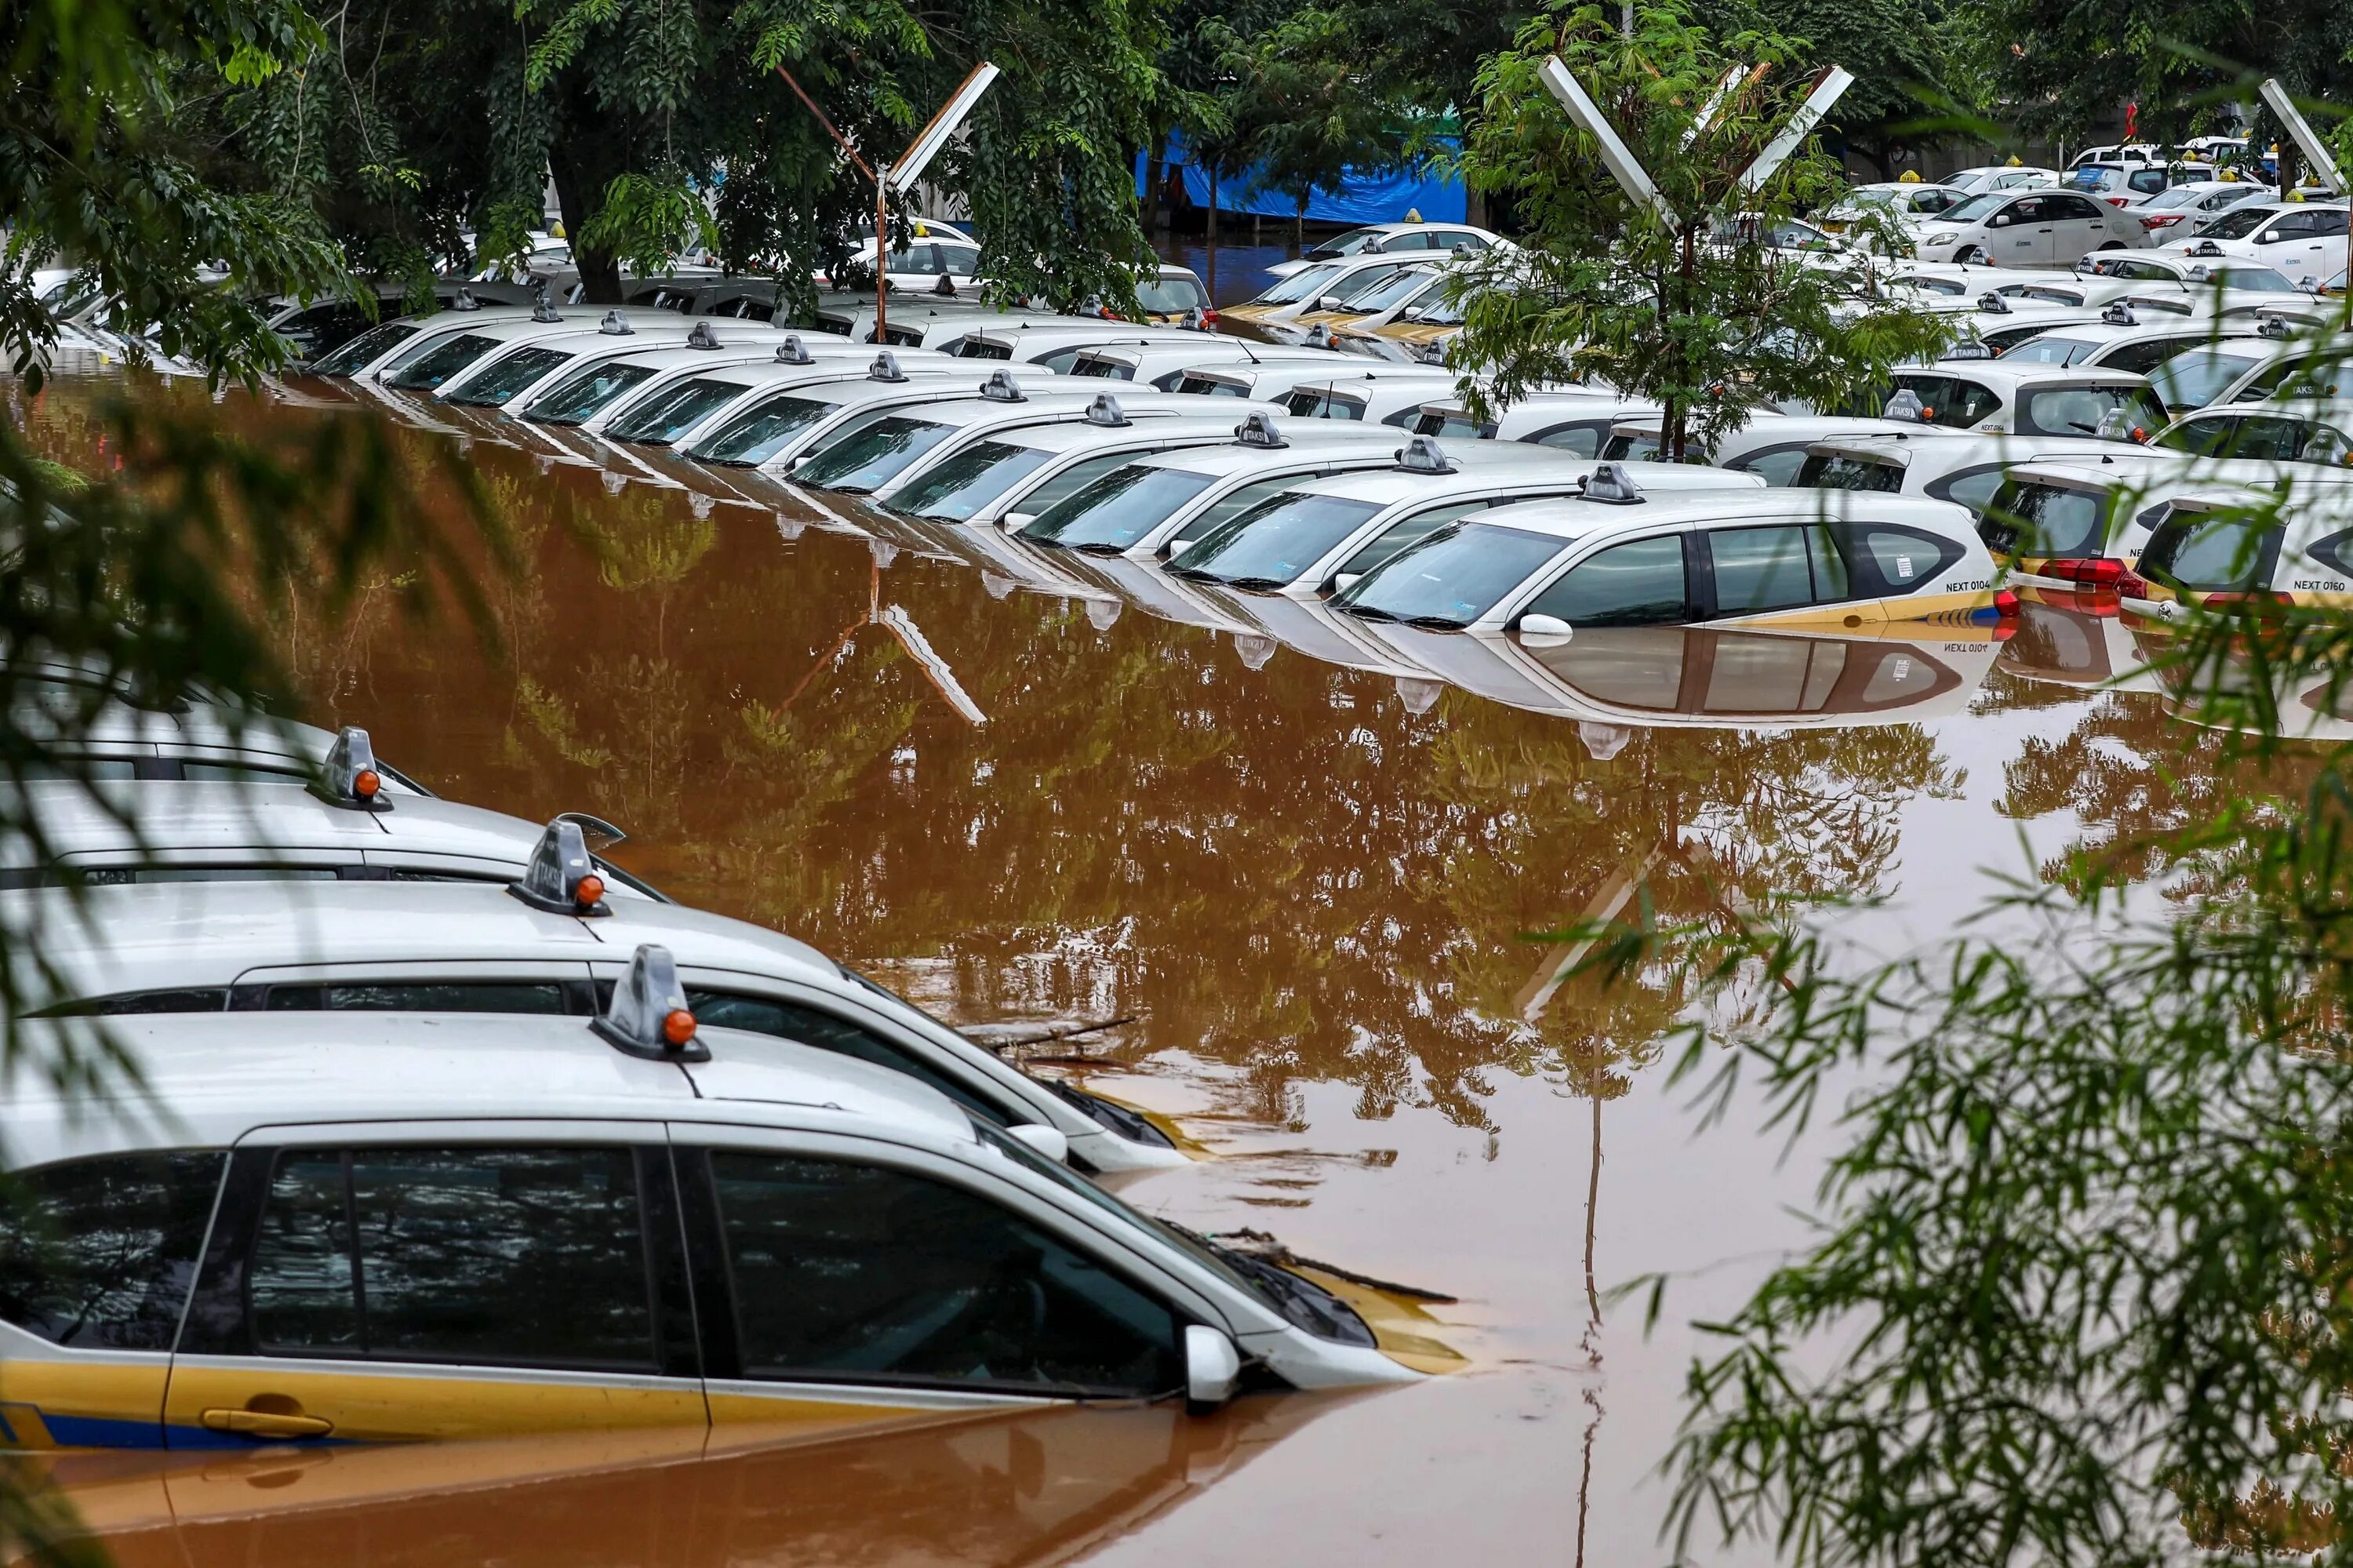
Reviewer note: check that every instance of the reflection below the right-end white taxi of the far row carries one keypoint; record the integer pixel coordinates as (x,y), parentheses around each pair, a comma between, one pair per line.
(1698,677)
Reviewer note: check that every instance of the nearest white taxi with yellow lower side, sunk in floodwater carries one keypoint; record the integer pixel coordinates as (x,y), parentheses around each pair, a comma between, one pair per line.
(364,1228)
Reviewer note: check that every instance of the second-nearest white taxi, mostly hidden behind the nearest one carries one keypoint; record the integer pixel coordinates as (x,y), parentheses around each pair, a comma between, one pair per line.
(542,943)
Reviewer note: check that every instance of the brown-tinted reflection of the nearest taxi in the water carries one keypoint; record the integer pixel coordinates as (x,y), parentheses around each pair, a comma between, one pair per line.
(1039,1487)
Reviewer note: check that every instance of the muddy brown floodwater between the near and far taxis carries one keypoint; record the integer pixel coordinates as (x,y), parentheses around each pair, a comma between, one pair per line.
(1309,886)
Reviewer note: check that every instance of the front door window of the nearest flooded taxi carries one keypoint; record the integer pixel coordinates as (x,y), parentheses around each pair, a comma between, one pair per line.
(876,1275)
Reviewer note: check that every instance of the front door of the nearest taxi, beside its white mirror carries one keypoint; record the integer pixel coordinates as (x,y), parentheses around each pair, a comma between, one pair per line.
(858,1282)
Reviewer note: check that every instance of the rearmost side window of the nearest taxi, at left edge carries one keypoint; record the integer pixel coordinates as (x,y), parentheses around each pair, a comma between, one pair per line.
(100,1254)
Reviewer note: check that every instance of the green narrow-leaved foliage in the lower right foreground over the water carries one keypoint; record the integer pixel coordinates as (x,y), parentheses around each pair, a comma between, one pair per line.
(2084,1280)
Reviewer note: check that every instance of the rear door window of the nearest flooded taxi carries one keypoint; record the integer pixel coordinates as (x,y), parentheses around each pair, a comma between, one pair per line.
(486,1256)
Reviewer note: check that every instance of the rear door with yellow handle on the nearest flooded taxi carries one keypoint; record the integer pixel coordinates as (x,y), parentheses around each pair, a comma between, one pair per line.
(399,1282)
